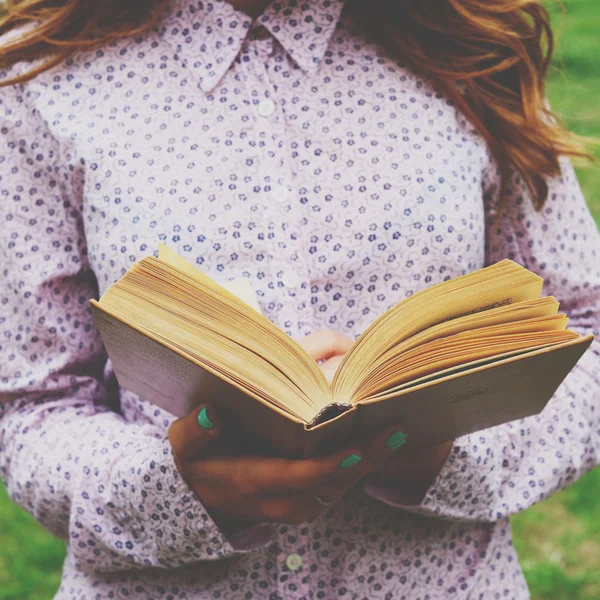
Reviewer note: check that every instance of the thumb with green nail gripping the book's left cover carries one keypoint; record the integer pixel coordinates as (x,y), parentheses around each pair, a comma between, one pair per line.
(189,435)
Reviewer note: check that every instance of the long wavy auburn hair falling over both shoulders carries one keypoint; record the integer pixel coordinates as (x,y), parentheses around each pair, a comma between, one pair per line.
(489,57)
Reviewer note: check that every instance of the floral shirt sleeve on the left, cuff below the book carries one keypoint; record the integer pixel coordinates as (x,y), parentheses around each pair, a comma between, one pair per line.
(109,487)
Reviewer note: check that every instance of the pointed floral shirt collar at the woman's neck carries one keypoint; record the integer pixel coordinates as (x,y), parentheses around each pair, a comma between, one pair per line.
(208,36)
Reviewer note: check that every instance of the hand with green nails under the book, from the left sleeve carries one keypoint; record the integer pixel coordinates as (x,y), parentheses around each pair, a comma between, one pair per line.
(246,490)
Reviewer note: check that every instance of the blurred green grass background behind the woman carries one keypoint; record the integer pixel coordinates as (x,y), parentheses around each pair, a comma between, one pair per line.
(558,540)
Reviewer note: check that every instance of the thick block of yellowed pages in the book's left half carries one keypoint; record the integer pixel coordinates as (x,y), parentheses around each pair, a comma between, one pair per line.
(200,317)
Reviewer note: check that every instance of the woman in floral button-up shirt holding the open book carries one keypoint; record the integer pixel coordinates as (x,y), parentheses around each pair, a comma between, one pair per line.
(341,158)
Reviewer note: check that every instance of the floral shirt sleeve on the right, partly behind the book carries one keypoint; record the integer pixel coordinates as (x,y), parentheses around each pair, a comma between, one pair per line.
(503,470)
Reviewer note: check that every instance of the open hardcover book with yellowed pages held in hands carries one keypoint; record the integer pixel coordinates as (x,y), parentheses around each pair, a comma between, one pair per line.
(463,355)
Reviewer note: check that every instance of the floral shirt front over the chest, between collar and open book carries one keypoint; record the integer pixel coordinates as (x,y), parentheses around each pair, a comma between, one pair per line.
(354,183)
